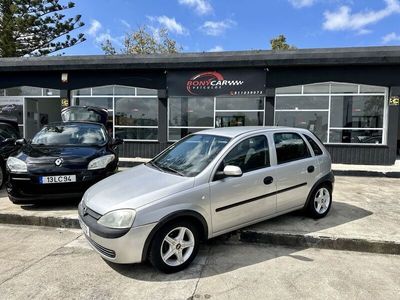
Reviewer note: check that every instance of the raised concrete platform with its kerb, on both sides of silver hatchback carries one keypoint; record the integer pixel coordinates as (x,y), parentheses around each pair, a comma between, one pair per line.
(365,216)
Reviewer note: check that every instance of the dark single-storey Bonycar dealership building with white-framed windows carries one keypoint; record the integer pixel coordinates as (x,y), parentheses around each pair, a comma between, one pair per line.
(349,97)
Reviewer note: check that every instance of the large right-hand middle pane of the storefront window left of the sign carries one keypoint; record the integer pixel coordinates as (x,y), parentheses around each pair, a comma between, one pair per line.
(136,111)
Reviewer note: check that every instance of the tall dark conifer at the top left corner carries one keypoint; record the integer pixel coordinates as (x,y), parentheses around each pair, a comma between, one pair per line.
(36,27)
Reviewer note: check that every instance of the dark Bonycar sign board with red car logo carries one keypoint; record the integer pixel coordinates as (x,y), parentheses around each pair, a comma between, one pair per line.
(237,82)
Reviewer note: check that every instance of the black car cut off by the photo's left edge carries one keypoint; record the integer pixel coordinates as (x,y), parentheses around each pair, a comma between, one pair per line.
(9,133)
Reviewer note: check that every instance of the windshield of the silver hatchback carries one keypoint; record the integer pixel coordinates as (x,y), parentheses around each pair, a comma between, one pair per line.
(191,155)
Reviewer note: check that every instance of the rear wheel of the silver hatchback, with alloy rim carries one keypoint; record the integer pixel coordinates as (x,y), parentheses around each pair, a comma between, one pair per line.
(320,201)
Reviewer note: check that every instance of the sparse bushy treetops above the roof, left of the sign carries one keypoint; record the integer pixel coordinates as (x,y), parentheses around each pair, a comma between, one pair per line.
(144,41)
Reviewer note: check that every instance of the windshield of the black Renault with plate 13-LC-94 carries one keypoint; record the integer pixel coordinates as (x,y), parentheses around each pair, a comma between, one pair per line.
(71,134)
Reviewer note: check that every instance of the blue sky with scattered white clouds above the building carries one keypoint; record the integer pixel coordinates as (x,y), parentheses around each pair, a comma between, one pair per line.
(216,25)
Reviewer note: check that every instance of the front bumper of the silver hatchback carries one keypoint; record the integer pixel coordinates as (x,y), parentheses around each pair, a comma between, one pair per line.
(126,249)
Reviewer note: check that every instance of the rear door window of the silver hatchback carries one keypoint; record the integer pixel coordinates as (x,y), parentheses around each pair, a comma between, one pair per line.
(290,147)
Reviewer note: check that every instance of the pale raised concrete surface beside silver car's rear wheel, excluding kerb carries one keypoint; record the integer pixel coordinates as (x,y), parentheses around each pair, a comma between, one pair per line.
(364,207)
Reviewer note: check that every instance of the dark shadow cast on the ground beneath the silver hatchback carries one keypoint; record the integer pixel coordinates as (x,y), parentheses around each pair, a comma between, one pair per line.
(241,257)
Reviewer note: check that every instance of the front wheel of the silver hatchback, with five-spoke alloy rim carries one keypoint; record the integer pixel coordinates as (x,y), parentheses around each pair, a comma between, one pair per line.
(174,246)
